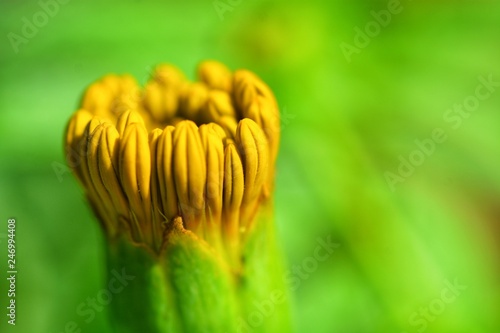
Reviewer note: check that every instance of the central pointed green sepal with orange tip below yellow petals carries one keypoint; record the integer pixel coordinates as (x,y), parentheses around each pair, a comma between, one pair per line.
(201,284)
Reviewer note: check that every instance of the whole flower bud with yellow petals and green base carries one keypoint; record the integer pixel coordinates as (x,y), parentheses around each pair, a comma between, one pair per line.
(180,175)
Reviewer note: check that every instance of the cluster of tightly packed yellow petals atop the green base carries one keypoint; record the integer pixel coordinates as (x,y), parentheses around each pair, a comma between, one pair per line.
(200,151)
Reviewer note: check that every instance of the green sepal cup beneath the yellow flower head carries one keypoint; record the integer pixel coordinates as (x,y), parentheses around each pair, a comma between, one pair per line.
(190,288)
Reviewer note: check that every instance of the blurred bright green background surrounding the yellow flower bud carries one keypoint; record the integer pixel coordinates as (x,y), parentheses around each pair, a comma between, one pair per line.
(345,124)
